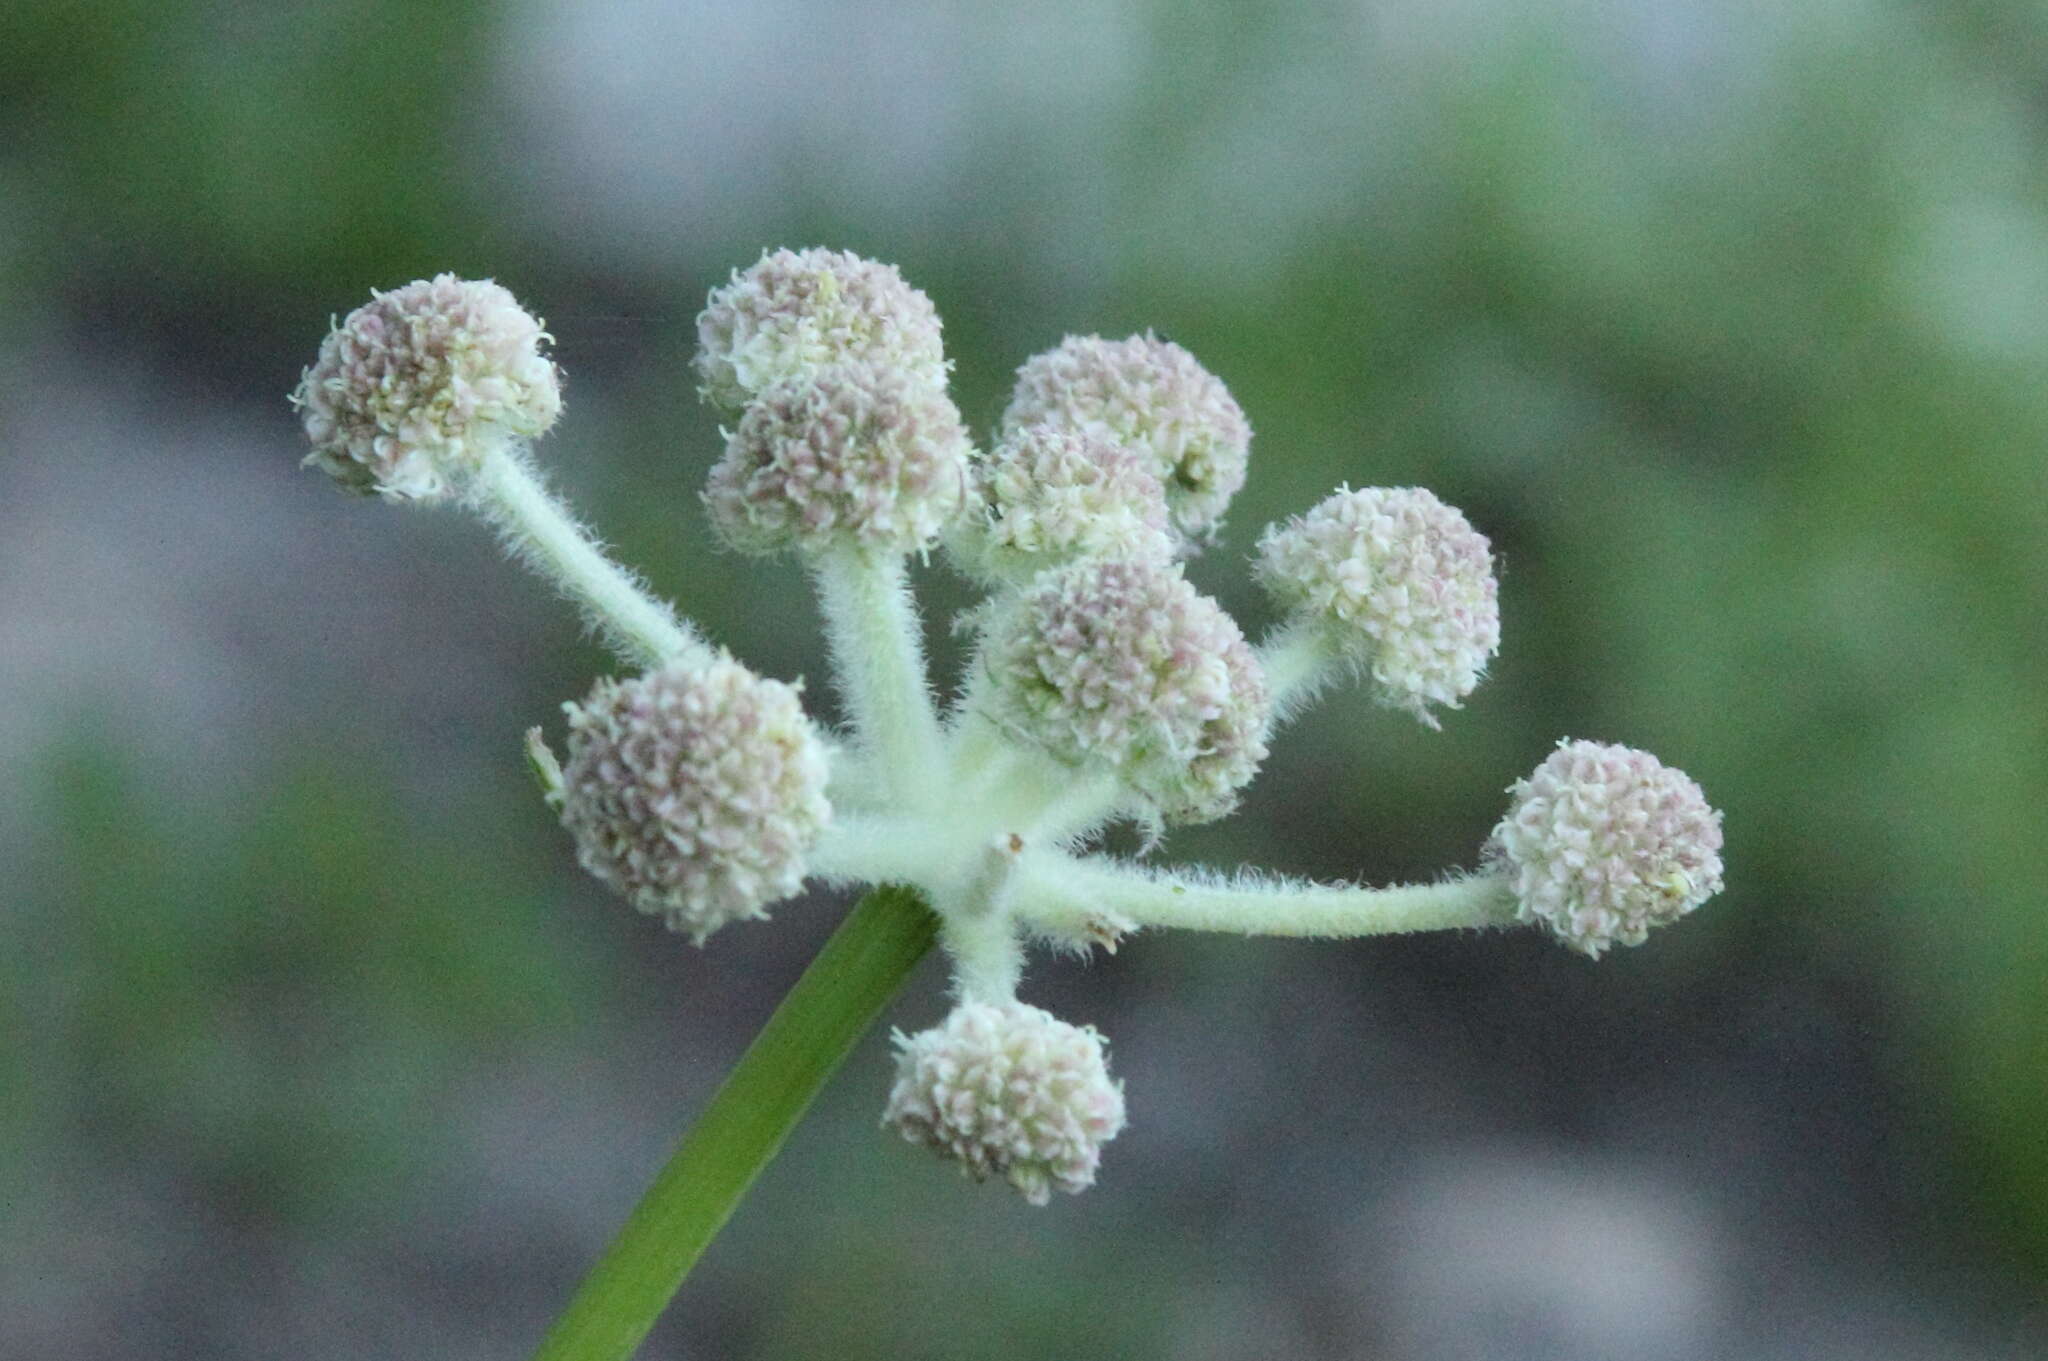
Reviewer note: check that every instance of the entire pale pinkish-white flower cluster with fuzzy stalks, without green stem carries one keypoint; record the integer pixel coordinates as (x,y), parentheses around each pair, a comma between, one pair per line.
(1103,685)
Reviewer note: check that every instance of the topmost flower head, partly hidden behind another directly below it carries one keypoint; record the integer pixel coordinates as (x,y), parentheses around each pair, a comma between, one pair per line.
(800,310)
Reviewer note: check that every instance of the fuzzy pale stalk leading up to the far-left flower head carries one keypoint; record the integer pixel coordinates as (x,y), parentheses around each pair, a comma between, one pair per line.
(542,533)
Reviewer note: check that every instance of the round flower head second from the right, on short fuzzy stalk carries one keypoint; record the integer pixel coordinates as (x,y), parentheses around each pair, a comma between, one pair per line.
(1404,586)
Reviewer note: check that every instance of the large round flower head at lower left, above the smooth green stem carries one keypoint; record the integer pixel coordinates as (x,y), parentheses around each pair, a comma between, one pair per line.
(695,791)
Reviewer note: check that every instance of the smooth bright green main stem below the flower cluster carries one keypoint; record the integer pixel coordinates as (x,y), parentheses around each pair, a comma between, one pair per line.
(744,1127)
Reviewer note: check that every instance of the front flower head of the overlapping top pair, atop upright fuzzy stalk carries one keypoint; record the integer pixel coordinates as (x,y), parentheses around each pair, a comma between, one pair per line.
(843,455)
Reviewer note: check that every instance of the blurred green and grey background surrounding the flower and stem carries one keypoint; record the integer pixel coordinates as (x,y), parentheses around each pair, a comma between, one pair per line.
(1725,320)
